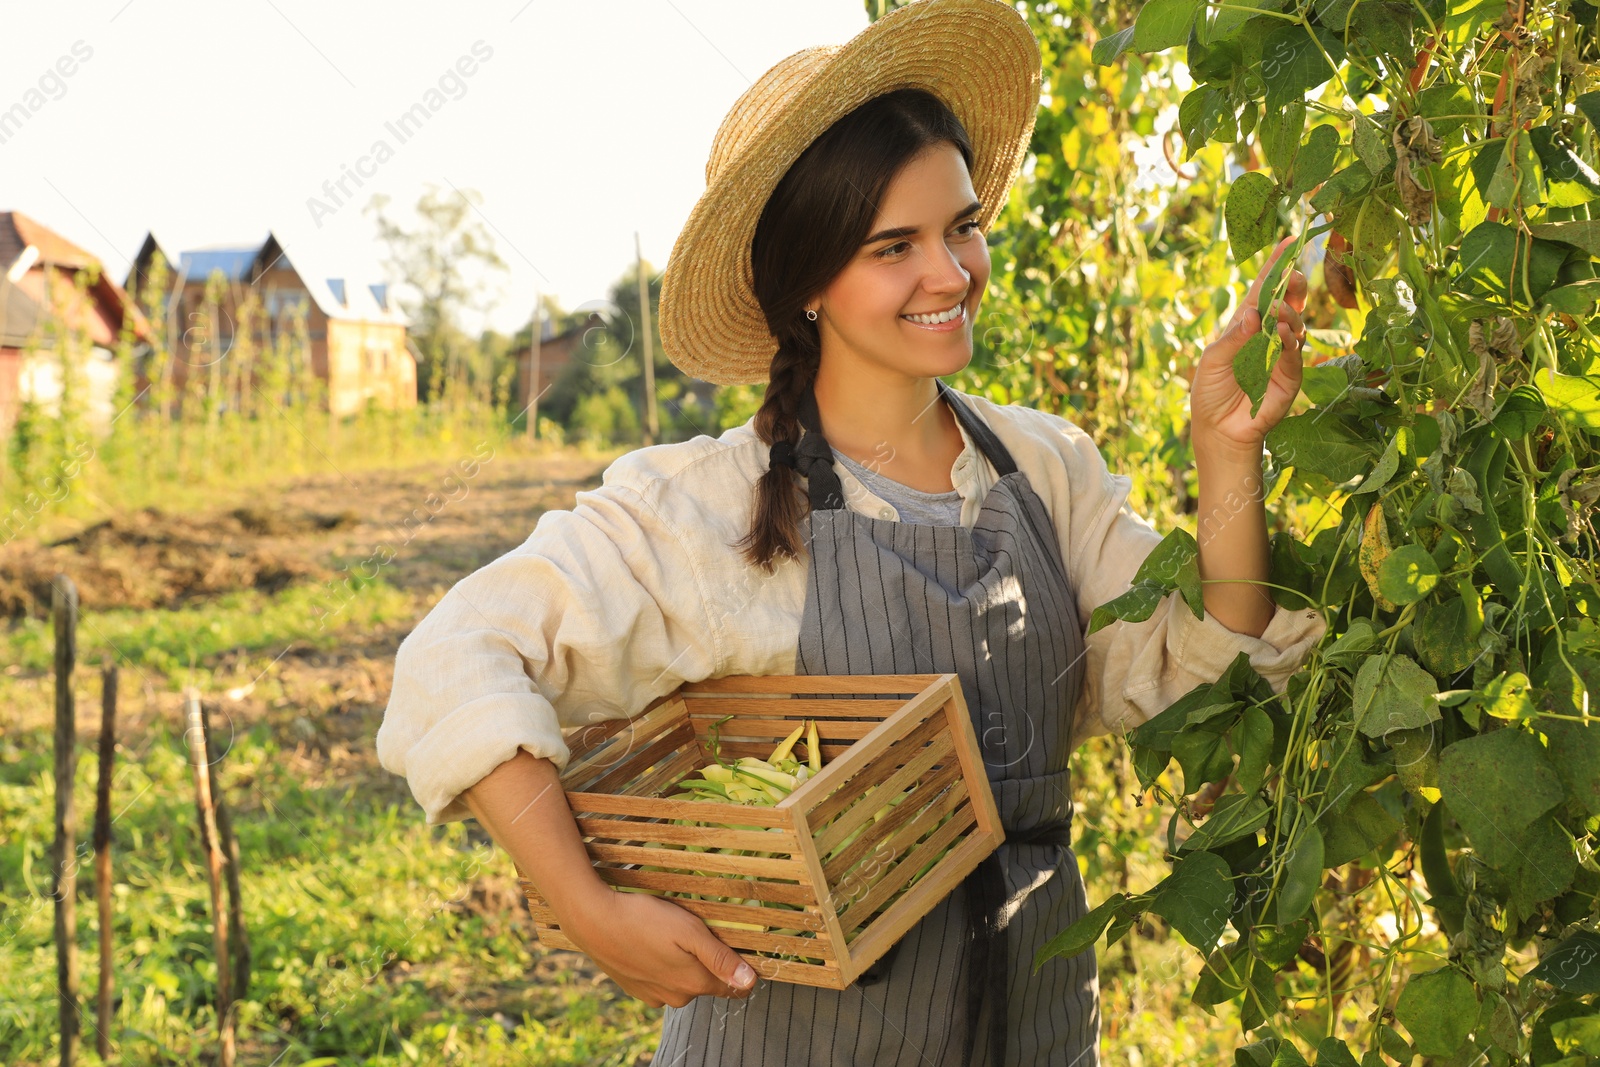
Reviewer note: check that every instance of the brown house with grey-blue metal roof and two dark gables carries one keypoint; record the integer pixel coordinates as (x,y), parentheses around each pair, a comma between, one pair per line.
(356,334)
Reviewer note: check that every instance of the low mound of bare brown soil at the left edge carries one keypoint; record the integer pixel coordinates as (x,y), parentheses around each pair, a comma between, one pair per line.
(159,561)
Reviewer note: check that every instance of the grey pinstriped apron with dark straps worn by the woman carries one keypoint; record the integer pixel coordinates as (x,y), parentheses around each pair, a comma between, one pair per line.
(993,605)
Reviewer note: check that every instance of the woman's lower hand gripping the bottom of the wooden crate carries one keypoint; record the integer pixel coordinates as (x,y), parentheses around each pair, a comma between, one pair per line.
(657,951)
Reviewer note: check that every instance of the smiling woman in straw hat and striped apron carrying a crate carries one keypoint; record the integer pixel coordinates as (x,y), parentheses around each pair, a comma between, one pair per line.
(868,521)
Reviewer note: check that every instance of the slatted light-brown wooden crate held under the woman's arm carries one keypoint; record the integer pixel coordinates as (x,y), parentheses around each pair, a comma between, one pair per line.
(889,732)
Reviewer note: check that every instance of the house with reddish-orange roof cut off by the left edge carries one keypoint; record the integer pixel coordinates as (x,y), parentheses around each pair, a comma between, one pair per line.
(39,306)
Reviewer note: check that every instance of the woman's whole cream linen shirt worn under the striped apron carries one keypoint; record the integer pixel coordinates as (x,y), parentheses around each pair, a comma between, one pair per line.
(638,591)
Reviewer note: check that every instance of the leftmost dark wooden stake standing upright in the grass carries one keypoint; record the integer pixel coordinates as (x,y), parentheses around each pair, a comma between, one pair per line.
(65,612)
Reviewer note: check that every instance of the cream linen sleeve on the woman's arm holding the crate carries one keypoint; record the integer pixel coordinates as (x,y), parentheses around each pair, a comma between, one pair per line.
(598,613)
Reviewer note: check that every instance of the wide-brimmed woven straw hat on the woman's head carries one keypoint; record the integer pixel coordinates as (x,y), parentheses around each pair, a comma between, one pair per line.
(978,57)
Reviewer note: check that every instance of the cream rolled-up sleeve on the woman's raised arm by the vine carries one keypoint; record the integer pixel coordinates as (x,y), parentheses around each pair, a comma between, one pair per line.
(1134,671)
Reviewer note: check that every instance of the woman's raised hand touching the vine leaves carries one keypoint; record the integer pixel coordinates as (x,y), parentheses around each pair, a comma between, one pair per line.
(1218,409)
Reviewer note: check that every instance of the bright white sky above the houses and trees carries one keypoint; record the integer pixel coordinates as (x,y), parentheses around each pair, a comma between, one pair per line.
(212,124)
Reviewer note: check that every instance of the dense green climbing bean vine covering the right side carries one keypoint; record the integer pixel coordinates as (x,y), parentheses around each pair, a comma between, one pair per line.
(1438,756)
